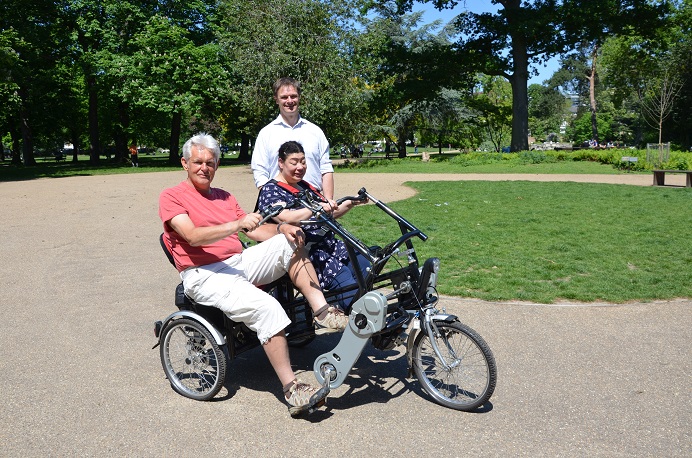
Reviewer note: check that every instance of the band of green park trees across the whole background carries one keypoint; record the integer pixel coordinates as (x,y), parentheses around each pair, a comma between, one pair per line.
(102,74)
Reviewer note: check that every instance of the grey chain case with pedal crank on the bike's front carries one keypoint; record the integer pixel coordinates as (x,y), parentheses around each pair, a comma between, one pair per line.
(368,316)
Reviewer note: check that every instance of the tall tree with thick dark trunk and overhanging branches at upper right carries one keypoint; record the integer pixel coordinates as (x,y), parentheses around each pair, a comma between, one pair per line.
(522,33)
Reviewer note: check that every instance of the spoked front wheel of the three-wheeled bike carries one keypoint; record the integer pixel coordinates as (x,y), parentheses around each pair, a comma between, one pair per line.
(468,380)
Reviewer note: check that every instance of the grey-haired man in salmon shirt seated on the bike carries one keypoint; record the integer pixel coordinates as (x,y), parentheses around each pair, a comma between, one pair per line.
(201,226)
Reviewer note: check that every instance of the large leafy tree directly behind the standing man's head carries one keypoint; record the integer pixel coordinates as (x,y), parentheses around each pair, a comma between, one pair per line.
(268,39)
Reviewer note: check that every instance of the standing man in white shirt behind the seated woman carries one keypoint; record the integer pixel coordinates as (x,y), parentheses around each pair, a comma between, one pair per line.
(289,125)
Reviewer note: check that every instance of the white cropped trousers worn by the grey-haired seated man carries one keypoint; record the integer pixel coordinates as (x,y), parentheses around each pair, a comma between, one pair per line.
(230,285)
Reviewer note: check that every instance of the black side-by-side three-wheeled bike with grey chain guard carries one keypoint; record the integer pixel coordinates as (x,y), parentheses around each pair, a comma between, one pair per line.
(395,303)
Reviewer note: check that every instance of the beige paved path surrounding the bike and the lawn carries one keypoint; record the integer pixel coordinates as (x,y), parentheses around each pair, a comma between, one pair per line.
(83,279)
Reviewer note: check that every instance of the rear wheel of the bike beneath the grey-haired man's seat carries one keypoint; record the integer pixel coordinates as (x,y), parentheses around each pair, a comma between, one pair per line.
(192,360)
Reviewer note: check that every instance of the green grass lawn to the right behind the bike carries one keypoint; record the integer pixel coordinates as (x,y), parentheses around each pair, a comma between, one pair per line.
(544,242)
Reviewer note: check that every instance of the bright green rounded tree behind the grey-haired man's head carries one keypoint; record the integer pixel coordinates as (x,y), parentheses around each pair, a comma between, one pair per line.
(177,70)
